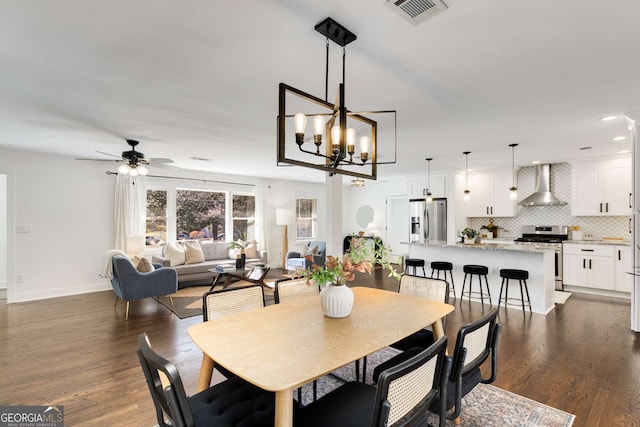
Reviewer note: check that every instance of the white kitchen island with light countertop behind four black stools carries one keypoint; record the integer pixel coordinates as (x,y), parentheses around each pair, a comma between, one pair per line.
(540,264)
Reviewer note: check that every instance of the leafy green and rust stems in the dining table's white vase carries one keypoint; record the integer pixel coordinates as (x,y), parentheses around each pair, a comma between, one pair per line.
(361,257)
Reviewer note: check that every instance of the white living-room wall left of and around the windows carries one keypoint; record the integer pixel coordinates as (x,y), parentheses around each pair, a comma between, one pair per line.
(68,206)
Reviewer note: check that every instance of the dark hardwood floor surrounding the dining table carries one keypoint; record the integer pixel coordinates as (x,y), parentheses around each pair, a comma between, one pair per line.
(79,352)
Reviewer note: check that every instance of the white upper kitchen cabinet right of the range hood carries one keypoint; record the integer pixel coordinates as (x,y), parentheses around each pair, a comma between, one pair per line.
(602,188)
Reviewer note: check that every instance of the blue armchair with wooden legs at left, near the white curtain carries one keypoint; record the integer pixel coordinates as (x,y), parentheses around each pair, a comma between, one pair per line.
(130,285)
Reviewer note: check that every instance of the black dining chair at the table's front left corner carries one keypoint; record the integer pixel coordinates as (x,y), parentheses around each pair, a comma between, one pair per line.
(233,402)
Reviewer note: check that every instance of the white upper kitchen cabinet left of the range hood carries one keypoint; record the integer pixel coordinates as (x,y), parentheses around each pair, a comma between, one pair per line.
(489,195)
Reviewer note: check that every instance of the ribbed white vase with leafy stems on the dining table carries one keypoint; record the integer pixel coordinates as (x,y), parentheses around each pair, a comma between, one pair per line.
(336,298)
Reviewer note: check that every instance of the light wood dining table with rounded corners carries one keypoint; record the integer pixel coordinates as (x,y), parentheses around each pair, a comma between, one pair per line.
(284,346)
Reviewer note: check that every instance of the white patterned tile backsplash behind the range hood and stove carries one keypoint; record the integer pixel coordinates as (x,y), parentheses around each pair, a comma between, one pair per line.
(595,227)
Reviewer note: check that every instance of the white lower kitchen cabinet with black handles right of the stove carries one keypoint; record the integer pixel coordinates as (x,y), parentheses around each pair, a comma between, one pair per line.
(590,266)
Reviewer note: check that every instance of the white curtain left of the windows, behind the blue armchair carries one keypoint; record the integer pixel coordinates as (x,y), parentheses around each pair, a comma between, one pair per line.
(130,207)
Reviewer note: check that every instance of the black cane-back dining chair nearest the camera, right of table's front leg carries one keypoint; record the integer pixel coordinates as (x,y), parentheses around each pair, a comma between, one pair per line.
(401,398)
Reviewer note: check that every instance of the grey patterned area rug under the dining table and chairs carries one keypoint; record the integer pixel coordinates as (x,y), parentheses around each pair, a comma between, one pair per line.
(485,405)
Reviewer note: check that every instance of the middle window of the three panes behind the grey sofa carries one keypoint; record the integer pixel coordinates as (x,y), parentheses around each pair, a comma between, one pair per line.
(200,215)
